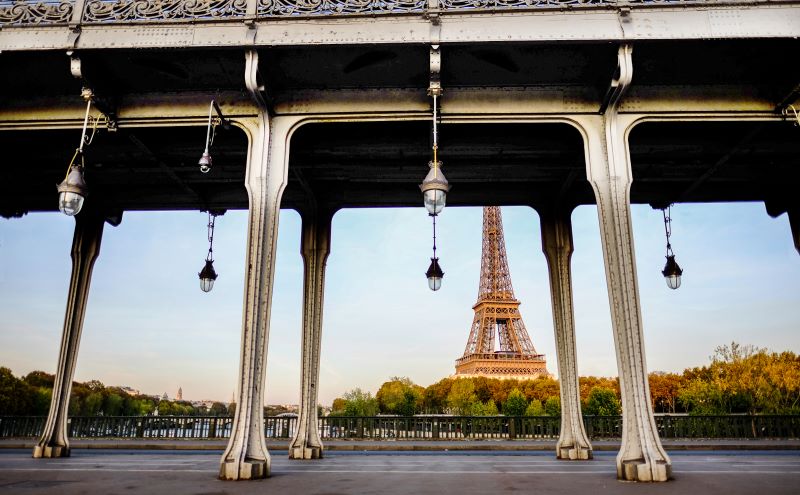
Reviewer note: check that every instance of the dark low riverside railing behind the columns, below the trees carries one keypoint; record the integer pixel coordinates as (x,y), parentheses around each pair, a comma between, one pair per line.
(406,428)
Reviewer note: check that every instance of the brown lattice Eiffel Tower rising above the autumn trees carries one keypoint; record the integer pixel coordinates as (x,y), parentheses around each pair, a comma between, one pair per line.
(499,345)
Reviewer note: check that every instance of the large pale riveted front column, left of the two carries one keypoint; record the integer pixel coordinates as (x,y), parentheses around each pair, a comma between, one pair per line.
(246,456)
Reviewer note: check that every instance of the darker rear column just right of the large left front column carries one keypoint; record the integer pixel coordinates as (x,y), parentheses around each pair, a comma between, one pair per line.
(315,248)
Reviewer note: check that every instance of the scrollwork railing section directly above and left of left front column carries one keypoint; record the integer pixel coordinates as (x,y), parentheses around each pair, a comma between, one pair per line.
(138,10)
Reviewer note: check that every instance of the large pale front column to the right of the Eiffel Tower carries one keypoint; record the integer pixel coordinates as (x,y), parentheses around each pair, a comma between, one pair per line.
(641,456)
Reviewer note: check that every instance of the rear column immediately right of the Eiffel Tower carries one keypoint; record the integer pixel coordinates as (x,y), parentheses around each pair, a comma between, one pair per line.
(573,443)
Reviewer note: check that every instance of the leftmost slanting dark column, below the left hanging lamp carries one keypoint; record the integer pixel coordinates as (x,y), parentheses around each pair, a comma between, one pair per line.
(85,249)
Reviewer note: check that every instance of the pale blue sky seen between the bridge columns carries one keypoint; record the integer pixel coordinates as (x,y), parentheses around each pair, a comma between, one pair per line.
(149,326)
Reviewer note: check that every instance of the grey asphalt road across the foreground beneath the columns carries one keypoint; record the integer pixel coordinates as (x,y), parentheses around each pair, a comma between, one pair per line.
(387,473)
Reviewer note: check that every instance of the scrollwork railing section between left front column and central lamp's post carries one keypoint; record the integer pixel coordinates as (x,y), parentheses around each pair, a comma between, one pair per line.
(284,8)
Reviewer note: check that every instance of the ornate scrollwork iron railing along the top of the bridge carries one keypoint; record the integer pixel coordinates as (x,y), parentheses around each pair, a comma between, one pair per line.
(49,12)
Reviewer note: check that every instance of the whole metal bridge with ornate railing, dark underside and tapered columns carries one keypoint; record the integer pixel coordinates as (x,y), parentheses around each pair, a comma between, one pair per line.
(326,104)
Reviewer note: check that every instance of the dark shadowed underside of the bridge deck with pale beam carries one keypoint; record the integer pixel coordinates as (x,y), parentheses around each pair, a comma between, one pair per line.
(150,164)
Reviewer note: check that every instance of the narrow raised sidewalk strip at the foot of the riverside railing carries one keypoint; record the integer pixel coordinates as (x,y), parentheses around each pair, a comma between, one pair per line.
(411,445)
